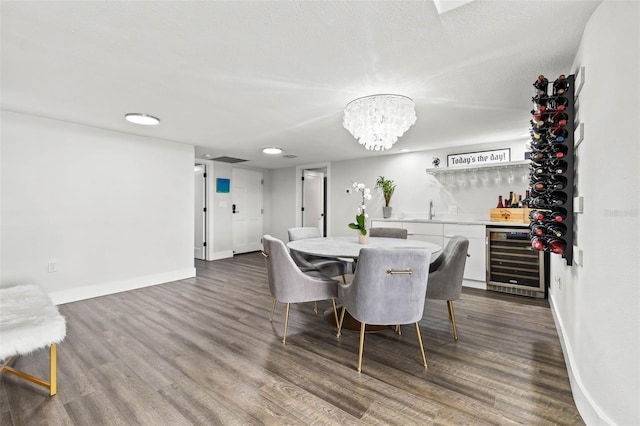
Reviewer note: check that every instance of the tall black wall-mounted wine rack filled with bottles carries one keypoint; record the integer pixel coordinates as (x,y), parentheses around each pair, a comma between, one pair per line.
(552,158)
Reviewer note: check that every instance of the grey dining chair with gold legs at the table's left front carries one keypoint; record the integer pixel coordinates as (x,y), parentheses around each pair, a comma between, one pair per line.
(289,284)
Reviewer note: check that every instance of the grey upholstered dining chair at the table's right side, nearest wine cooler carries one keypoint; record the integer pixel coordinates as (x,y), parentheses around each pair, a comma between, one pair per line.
(445,276)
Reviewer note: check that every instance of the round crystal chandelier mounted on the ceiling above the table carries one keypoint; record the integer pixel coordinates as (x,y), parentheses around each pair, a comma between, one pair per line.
(377,121)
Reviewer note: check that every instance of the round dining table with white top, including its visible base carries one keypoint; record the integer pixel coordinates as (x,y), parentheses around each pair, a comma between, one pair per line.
(348,248)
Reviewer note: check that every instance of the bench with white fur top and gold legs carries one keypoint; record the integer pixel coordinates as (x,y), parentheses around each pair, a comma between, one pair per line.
(29,321)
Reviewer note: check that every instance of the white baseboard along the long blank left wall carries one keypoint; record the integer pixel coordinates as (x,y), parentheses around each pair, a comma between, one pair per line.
(87,292)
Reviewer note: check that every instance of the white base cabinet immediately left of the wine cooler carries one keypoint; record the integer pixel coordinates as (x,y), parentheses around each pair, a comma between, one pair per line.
(475,269)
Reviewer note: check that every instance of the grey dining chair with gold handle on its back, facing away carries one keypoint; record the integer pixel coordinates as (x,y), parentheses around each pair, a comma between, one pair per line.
(388,288)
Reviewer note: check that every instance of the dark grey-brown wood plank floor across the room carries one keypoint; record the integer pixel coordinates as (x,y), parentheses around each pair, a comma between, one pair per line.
(202,351)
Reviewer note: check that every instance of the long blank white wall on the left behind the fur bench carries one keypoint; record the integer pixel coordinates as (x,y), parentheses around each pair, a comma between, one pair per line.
(113,211)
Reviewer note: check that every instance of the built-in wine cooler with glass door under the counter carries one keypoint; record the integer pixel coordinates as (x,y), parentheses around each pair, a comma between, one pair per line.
(512,266)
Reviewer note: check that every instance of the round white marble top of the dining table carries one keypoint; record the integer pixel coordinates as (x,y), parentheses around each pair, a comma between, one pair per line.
(348,247)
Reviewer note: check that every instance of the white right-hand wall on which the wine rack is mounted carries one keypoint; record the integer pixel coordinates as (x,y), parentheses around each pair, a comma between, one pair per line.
(597,306)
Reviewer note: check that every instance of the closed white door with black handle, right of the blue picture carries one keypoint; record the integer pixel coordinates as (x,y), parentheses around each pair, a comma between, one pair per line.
(246,193)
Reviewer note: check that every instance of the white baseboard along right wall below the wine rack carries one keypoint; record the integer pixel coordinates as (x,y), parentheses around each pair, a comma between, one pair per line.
(589,410)
